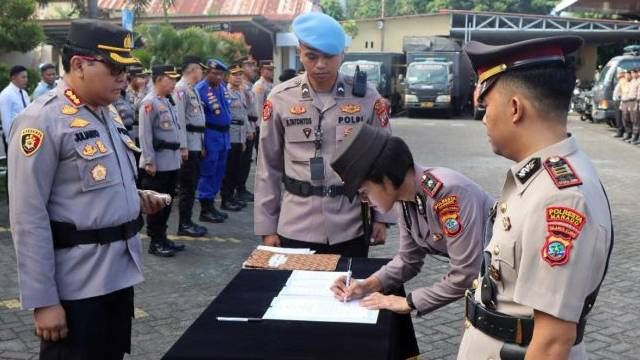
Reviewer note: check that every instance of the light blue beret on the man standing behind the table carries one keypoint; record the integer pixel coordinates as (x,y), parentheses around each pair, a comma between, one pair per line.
(319,31)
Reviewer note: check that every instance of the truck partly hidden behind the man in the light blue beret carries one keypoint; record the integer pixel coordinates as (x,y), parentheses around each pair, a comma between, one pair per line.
(383,70)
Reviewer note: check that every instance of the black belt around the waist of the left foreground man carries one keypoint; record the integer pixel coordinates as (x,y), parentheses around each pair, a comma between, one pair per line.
(65,235)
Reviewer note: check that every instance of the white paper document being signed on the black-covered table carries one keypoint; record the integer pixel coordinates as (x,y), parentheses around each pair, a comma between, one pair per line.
(306,297)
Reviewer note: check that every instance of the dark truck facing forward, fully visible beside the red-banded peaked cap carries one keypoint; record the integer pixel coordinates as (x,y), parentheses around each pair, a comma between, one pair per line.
(439,75)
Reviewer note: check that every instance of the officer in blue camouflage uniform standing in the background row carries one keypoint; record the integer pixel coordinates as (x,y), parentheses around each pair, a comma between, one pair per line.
(215,103)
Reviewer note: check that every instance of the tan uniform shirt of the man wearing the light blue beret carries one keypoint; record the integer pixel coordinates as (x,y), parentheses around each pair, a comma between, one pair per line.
(287,135)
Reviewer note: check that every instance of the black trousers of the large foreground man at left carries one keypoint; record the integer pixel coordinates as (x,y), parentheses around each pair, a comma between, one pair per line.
(99,328)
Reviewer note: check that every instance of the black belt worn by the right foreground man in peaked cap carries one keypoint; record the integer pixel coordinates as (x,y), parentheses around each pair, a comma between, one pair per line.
(507,328)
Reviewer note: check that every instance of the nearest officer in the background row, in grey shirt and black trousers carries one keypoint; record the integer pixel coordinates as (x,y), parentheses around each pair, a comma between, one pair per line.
(160,135)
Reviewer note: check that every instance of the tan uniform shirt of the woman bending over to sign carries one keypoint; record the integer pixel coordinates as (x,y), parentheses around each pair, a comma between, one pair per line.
(449,221)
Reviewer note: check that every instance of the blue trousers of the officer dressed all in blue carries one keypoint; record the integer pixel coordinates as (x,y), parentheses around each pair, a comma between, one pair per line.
(212,167)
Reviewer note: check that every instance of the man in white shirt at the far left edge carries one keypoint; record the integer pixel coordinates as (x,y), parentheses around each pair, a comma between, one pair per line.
(13,99)
